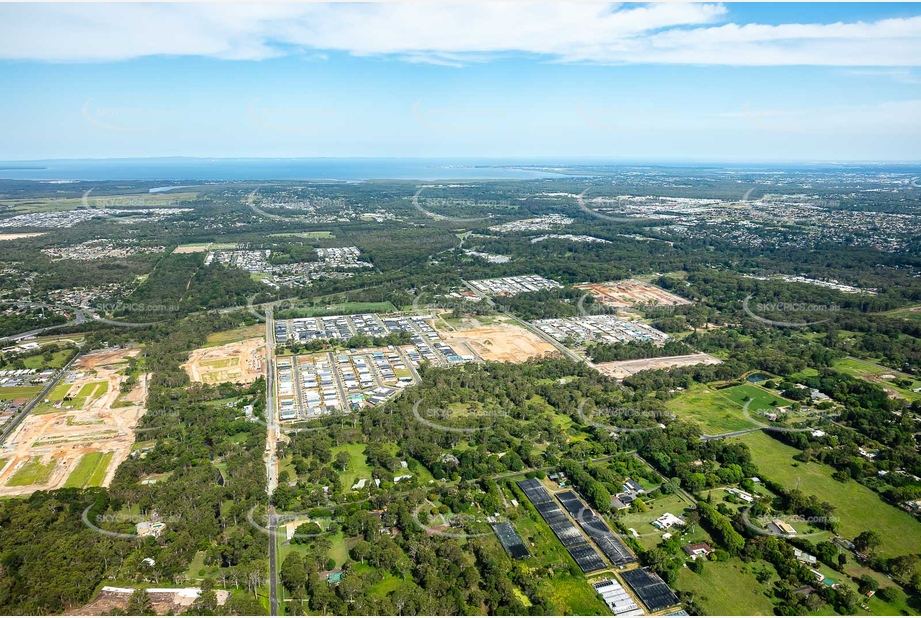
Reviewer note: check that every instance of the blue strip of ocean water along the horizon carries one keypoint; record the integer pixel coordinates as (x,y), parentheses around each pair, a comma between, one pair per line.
(180,169)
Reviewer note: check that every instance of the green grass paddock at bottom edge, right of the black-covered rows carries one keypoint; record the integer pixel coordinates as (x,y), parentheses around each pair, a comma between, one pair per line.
(729,588)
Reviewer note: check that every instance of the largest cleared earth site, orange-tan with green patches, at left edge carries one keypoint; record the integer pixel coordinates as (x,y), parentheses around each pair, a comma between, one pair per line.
(53,443)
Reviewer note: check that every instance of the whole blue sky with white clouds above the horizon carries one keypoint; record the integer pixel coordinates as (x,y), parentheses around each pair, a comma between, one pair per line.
(711,82)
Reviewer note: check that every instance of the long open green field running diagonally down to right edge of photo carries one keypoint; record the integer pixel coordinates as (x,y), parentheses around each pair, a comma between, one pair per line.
(857,507)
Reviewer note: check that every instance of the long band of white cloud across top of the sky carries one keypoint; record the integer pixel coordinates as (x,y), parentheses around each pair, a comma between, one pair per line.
(449,34)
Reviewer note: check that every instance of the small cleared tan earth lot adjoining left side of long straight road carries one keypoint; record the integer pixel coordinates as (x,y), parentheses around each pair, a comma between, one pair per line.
(240,362)
